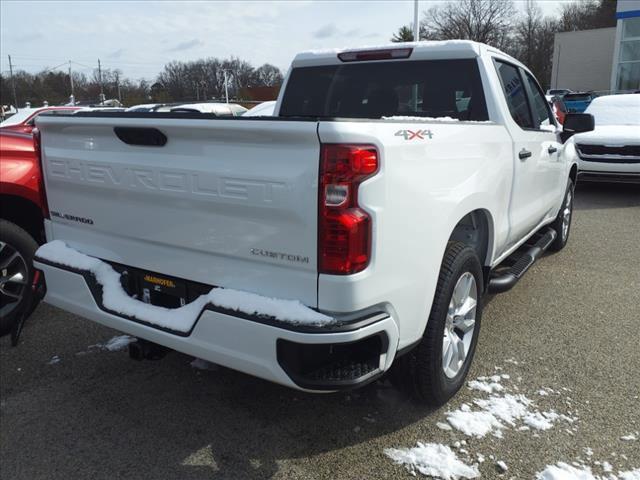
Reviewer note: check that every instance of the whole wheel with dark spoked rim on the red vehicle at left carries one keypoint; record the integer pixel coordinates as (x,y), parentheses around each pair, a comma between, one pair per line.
(17,248)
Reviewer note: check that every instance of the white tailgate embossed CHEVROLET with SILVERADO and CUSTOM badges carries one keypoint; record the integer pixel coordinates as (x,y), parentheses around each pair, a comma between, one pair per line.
(230,203)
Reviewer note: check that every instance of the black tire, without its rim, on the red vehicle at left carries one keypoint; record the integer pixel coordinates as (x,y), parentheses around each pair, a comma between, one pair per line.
(21,242)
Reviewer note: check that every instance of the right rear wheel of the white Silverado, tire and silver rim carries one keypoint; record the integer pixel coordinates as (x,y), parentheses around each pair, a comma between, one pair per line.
(436,369)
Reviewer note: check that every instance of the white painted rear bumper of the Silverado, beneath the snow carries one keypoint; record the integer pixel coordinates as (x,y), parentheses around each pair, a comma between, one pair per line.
(223,337)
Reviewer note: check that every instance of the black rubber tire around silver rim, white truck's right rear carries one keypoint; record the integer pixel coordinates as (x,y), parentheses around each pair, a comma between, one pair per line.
(420,372)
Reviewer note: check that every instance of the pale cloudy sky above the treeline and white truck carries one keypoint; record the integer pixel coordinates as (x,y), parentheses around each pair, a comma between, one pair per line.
(139,37)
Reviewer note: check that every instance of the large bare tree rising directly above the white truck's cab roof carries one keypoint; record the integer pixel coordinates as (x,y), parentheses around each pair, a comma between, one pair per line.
(486,21)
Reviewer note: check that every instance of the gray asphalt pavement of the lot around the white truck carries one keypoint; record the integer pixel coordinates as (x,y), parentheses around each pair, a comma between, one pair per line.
(570,327)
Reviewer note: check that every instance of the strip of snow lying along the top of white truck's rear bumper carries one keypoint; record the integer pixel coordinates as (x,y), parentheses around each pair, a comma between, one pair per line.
(181,319)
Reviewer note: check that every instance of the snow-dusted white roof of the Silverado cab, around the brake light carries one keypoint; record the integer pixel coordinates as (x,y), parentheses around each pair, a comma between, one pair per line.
(423,50)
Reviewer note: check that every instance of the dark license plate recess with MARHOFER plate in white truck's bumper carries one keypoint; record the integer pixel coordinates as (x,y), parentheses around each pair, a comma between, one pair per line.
(159,289)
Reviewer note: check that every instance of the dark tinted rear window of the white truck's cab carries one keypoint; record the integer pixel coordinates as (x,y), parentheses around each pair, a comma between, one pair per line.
(424,88)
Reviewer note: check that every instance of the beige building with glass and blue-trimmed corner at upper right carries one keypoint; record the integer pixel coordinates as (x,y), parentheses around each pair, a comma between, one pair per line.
(603,59)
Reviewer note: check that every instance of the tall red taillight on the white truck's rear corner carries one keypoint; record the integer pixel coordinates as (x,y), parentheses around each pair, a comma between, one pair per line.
(344,229)
